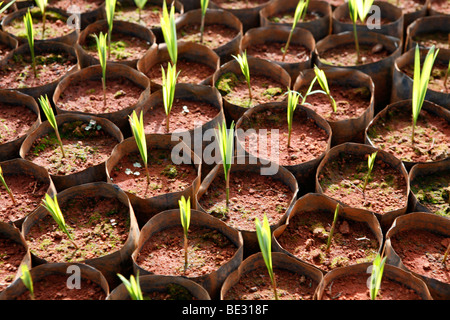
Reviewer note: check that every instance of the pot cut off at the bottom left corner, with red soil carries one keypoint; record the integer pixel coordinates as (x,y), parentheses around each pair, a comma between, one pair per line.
(64,277)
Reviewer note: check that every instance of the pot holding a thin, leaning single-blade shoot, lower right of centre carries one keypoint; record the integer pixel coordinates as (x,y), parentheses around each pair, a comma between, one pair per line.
(289,239)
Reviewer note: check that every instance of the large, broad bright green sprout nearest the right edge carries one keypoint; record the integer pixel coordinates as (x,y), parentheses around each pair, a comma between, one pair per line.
(420,83)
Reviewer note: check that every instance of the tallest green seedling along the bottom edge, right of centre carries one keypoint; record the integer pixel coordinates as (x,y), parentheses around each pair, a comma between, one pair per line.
(264,239)
